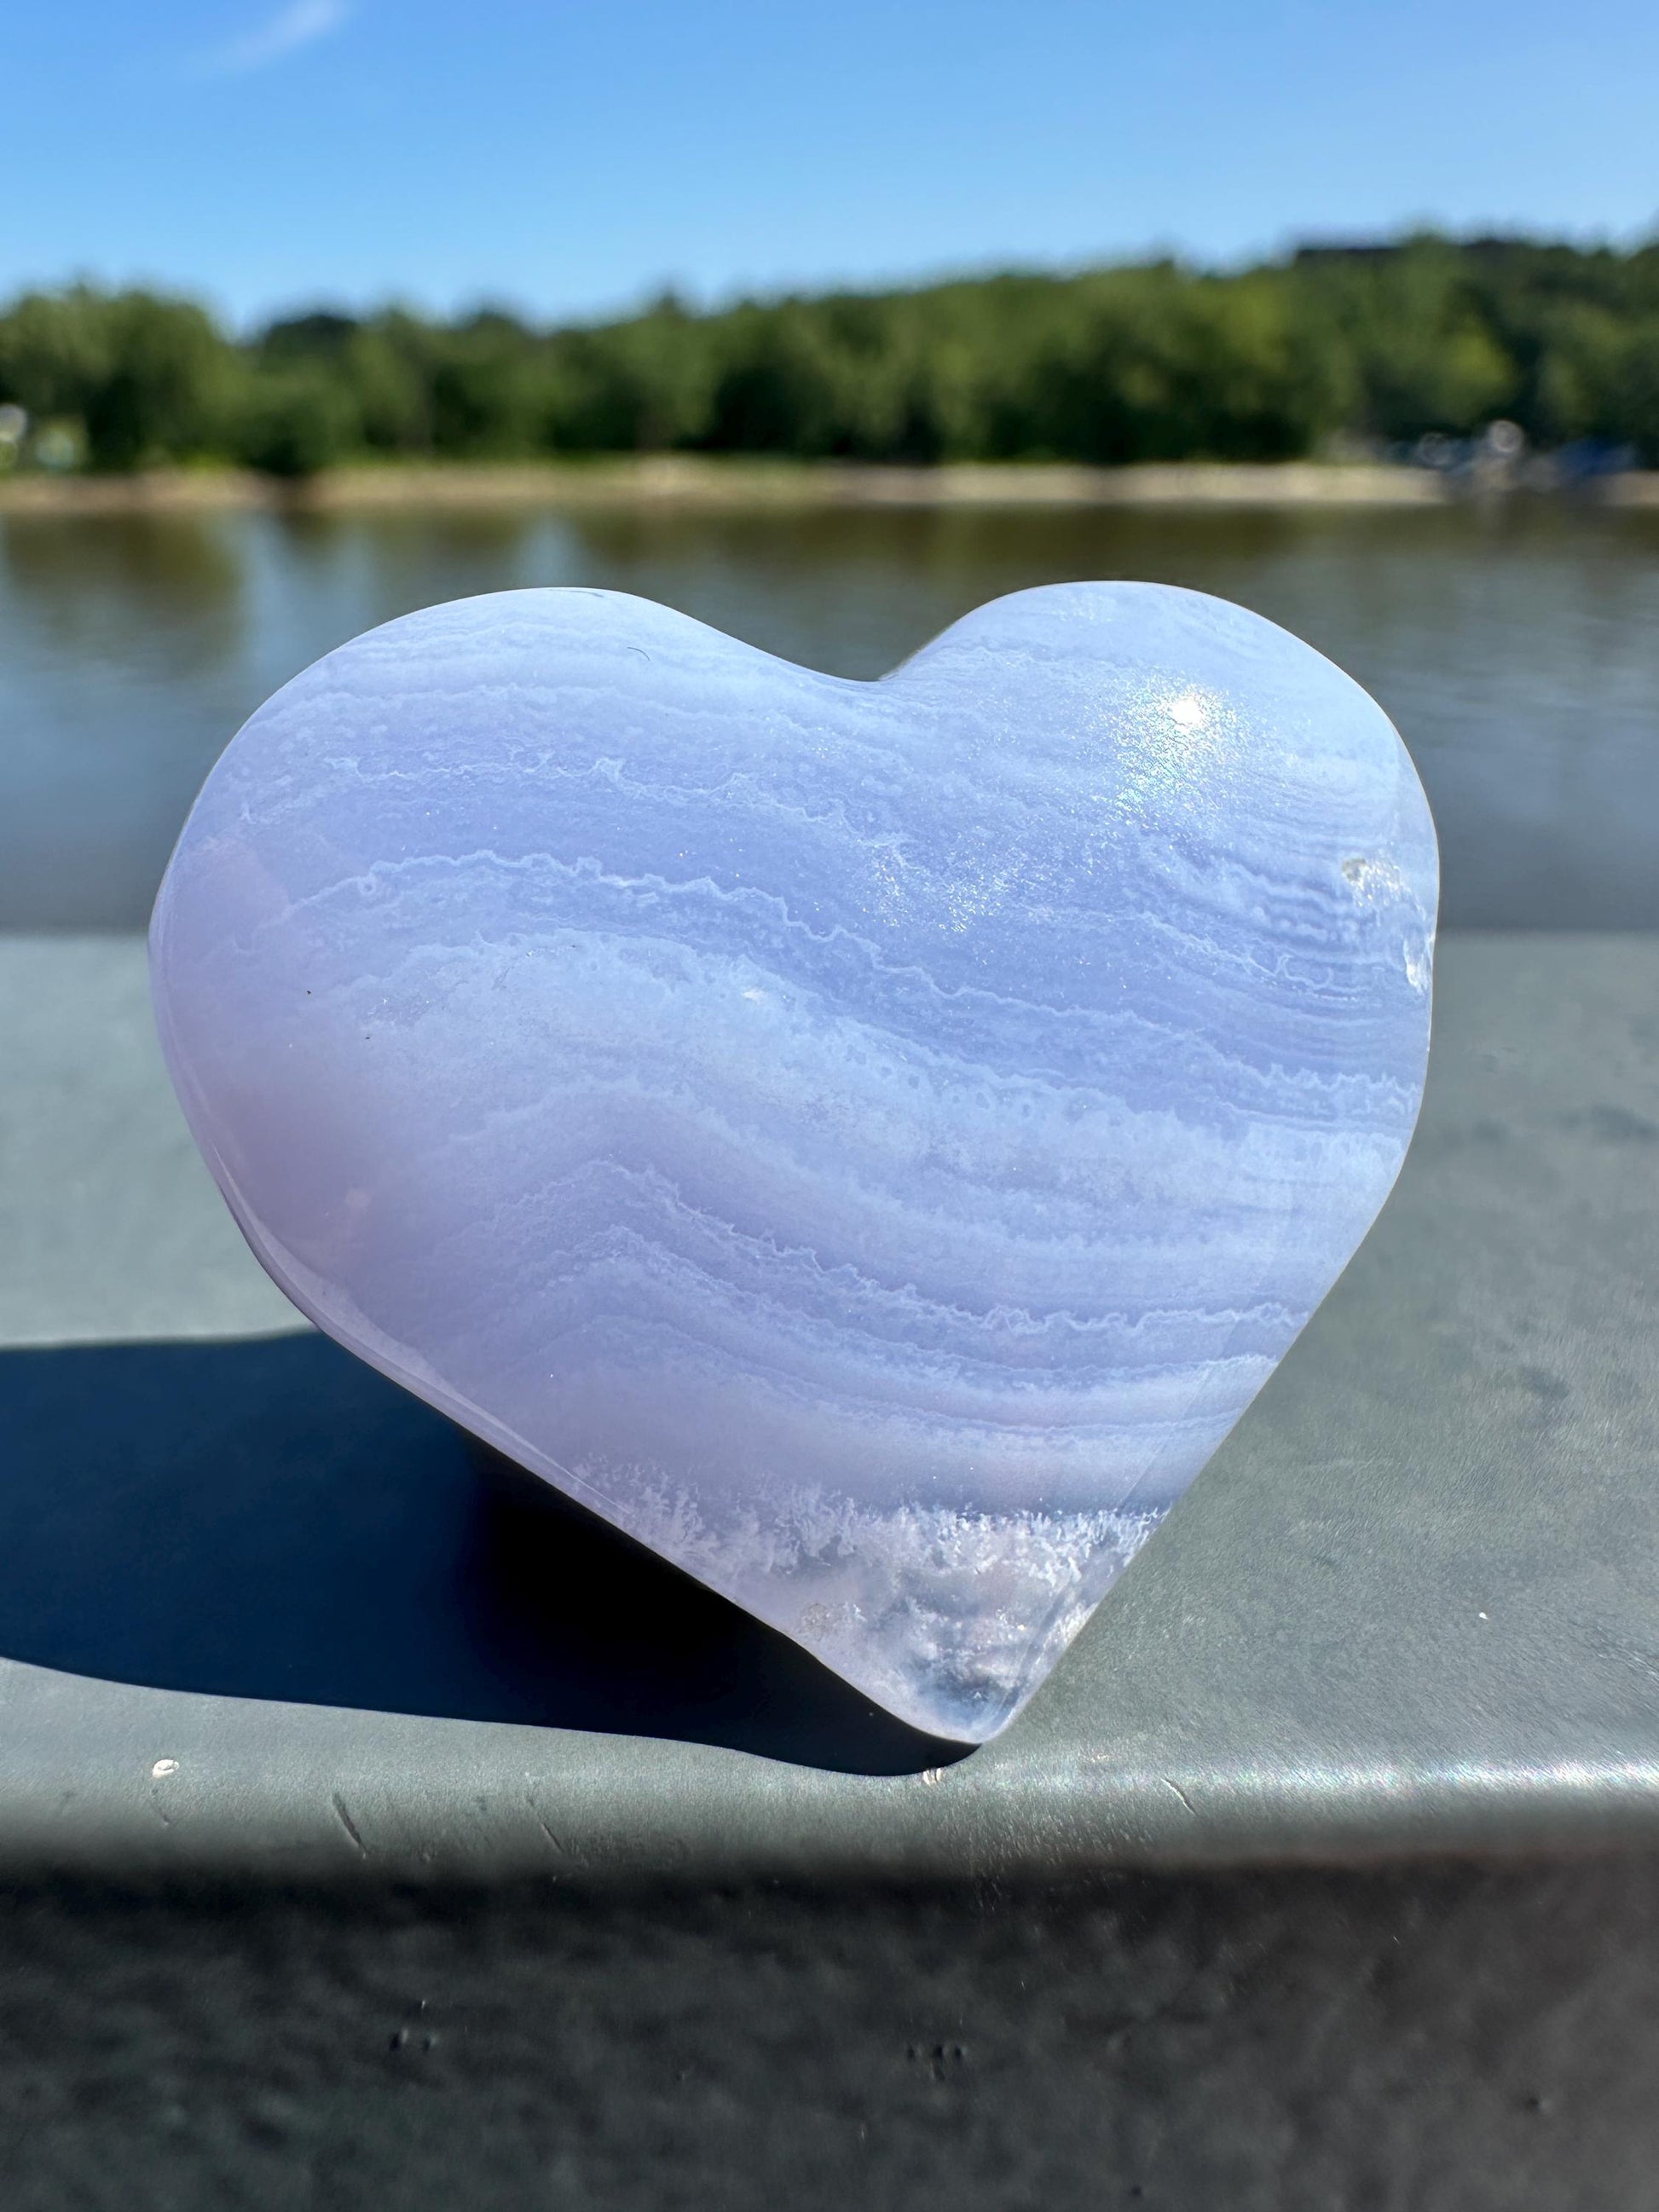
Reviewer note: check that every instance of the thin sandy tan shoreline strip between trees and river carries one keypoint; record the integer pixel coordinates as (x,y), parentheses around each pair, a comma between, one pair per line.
(689,481)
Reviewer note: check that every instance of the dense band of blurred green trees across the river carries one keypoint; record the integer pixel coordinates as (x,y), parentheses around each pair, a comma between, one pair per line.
(1129,364)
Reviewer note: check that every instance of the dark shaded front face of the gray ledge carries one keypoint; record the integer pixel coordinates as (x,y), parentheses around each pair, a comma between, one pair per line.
(1461,2041)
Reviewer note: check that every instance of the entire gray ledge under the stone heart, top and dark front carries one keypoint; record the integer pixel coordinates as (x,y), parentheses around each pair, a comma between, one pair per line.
(379,1833)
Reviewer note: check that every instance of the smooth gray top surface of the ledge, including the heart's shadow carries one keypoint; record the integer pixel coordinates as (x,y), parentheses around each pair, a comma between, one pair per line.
(1410,1609)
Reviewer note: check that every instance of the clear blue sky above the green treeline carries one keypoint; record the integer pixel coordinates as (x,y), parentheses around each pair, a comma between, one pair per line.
(574,158)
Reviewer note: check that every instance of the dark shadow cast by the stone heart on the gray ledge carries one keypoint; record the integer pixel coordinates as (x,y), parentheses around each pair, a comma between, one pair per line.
(271,1519)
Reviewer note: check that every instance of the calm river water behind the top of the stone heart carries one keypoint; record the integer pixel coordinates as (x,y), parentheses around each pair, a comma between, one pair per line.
(1514,647)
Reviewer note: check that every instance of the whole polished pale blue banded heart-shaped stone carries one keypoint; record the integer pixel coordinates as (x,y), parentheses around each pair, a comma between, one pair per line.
(866,1140)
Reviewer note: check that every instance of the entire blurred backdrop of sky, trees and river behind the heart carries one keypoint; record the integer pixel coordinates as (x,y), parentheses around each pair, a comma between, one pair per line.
(828,326)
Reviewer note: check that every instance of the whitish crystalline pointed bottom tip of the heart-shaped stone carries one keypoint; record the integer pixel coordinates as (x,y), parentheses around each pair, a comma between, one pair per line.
(948,1618)
